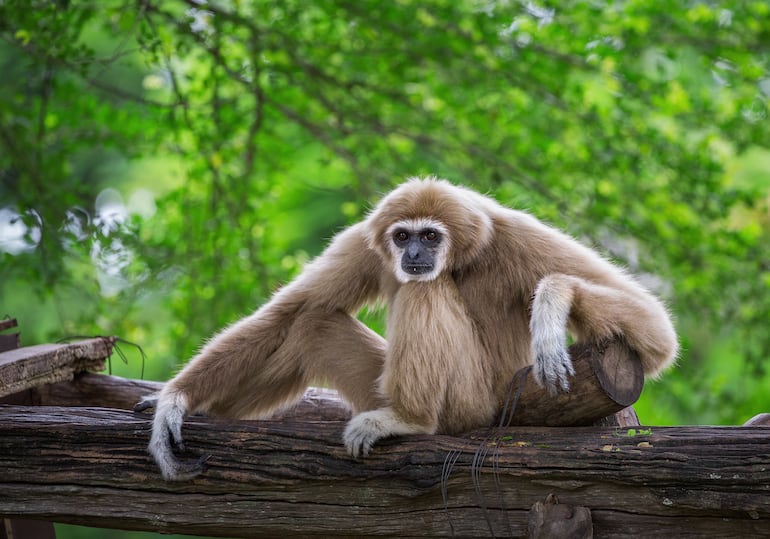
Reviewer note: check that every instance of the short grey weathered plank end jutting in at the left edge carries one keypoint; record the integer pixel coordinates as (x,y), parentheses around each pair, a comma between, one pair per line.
(32,366)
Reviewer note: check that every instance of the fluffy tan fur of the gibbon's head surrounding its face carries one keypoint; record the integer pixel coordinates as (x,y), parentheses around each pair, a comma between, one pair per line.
(465,214)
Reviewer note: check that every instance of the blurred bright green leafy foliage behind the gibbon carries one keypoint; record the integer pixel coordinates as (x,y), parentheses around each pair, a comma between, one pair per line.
(165,165)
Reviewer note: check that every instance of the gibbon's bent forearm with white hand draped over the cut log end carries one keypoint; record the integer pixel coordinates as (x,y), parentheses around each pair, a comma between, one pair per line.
(594,311)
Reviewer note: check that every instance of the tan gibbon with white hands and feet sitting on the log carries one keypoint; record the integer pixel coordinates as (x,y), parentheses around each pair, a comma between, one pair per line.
(475,291)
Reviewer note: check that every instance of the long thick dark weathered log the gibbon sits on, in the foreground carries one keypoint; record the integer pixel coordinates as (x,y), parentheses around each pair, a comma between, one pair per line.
(89,466)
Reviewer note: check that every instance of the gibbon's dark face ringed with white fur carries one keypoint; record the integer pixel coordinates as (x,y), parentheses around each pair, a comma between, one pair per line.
(418,248)
